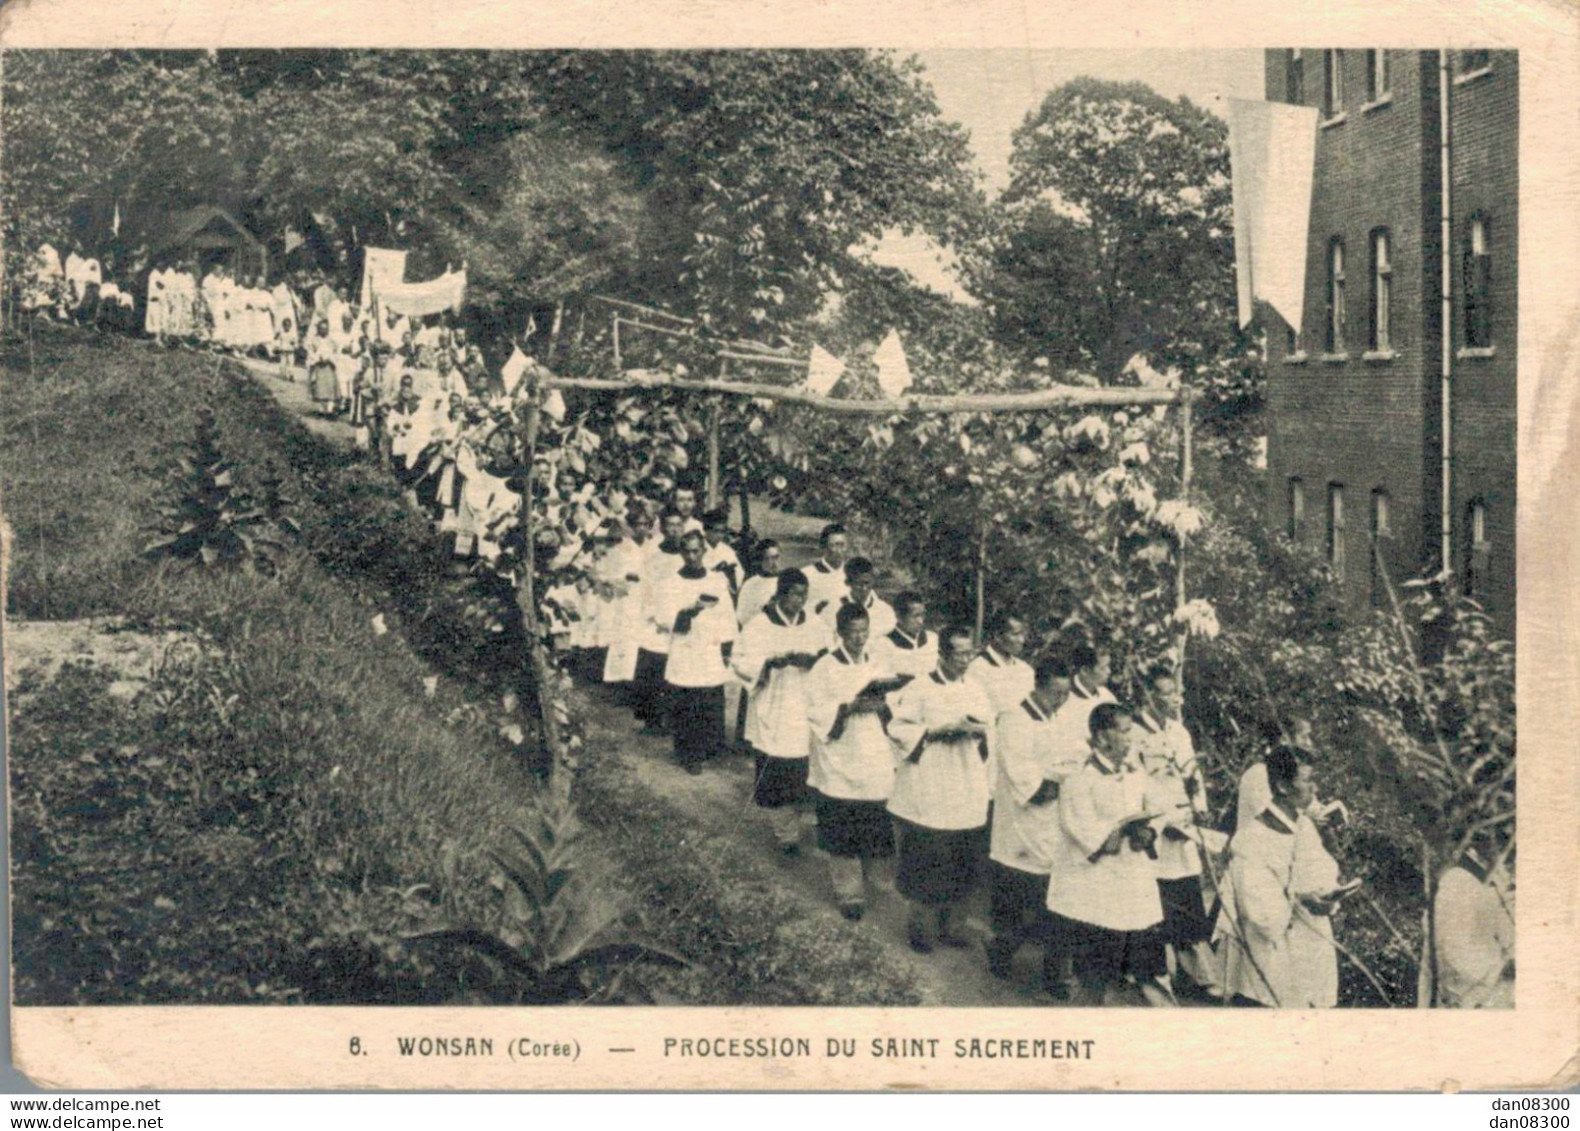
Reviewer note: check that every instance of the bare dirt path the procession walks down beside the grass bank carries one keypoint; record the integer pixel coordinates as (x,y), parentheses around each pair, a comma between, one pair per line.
(720,798)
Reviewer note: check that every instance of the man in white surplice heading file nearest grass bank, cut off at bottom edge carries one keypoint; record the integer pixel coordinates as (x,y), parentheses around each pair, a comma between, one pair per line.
(1104,892)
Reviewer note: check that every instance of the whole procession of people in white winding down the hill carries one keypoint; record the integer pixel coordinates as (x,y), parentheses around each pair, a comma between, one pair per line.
(1086,817)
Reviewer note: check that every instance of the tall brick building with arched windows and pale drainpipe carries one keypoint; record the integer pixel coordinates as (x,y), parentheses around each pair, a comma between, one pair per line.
(1355,456)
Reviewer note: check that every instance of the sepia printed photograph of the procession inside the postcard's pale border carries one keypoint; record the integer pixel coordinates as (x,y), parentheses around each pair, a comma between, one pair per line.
(840,527)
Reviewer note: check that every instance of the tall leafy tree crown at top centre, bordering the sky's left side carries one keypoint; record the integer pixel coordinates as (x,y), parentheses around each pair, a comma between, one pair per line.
(767,167)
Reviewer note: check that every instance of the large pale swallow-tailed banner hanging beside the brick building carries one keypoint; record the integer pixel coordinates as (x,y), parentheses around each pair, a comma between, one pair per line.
(1273,156)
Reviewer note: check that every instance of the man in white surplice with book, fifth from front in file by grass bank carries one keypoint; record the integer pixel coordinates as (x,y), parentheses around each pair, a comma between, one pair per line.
(773,658)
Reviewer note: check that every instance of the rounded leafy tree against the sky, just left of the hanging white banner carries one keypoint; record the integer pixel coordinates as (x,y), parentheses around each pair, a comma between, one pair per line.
(1116,235)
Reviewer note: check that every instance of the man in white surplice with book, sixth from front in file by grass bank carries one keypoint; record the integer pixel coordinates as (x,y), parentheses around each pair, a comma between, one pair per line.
(693,609)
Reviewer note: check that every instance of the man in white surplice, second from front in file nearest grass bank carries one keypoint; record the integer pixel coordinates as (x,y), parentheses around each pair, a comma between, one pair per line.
(1025,825)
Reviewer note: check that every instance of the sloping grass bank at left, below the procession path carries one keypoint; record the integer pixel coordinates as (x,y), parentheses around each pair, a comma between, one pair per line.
(284,800)
